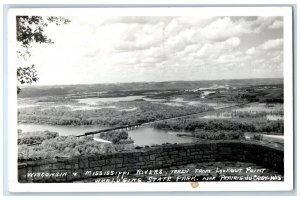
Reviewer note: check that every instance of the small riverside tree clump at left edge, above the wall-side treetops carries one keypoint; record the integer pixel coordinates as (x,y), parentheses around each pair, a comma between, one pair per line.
(35,137)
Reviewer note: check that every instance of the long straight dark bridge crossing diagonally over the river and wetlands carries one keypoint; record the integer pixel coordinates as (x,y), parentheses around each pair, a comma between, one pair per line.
(125,127)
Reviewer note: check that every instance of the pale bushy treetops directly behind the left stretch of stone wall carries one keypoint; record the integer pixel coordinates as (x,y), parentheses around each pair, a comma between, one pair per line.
(68,146)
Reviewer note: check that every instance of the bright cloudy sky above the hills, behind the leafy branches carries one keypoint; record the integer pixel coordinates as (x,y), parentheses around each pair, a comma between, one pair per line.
(103,49)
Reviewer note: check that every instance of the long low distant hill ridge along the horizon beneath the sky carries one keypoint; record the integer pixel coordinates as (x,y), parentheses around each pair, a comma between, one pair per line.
(61,90)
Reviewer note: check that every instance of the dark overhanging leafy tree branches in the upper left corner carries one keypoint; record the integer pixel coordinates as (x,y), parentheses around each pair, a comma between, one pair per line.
(30,29)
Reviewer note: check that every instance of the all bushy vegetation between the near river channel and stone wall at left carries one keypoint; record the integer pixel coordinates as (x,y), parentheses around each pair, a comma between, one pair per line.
(41,145)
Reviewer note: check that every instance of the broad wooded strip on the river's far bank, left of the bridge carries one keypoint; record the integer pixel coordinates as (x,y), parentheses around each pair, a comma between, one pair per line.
(147,112)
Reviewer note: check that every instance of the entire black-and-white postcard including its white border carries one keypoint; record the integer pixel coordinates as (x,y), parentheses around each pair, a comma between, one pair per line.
(152,98)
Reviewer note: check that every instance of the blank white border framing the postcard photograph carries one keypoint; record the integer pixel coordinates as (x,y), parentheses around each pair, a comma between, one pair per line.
(286,185)
